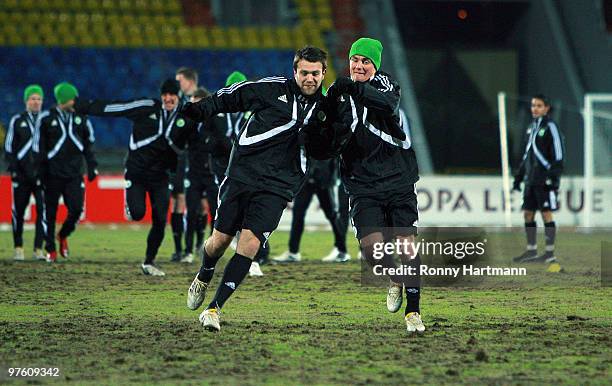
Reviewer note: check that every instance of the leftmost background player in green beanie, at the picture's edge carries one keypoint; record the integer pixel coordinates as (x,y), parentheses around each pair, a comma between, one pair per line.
(24,173)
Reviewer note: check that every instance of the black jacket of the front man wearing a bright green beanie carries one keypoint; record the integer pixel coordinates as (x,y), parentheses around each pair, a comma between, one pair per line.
(365,128)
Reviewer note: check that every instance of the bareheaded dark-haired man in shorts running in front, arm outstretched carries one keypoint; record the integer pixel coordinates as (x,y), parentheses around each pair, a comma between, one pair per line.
(266,170)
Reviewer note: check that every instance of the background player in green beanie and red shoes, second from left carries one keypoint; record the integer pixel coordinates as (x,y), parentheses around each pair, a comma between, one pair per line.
(65,136)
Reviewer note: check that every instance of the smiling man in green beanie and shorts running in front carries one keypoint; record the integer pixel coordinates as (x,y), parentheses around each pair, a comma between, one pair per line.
(378,169)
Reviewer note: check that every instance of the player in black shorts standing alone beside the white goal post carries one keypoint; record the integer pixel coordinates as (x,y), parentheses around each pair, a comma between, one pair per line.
(540,170)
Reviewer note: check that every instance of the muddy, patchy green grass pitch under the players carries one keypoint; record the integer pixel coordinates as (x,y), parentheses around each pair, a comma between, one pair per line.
(98,320)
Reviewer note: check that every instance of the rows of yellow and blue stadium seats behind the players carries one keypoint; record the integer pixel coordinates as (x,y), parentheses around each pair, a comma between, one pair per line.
(130,45)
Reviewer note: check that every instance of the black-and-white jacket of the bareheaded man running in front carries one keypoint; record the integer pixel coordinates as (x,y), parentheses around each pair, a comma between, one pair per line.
(268,154)
